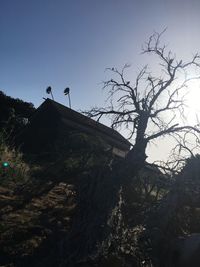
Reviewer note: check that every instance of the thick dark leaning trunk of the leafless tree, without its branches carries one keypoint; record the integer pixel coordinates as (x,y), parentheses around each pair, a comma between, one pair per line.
(98,195)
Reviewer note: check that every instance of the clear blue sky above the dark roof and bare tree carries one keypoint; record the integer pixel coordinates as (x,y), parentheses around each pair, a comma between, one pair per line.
(69,43)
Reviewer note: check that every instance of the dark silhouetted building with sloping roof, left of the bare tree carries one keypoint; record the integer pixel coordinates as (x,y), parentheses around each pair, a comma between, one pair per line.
(52,121)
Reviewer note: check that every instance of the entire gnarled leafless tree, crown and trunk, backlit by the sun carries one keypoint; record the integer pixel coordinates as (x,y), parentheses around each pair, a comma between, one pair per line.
(151,107)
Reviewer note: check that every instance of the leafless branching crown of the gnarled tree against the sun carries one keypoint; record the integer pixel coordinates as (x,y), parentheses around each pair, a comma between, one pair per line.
(153,106)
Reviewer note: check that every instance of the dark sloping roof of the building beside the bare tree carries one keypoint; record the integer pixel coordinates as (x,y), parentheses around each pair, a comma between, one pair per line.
(74,118)
